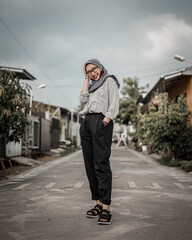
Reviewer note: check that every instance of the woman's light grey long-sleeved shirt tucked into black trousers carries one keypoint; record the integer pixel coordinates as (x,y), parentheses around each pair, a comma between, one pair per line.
(103,100)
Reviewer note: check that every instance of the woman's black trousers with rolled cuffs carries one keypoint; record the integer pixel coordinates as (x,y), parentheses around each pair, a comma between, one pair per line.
(96,146)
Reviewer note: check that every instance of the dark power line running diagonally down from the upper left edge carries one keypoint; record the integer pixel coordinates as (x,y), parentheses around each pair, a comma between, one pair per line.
(29,55)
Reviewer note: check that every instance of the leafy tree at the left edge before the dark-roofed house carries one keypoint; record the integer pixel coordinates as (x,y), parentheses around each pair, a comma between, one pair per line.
(14,107)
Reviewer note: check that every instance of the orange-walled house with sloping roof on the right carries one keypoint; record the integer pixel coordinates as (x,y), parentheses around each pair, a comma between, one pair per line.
(175,84)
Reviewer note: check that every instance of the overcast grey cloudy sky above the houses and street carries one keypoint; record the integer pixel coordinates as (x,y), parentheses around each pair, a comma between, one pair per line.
(53,38)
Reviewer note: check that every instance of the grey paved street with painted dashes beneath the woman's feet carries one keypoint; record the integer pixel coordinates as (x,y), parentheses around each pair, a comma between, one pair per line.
(49,202)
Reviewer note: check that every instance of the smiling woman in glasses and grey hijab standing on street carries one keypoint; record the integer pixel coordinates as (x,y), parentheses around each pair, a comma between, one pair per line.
(102,106)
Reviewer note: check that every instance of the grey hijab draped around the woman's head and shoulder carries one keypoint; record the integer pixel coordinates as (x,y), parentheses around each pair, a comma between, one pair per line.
(95,84)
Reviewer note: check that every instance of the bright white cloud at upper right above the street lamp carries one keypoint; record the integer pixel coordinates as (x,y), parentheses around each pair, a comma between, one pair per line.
(169,34)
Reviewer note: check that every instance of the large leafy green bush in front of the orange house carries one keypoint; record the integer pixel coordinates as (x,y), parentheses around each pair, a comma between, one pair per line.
(169,128)
